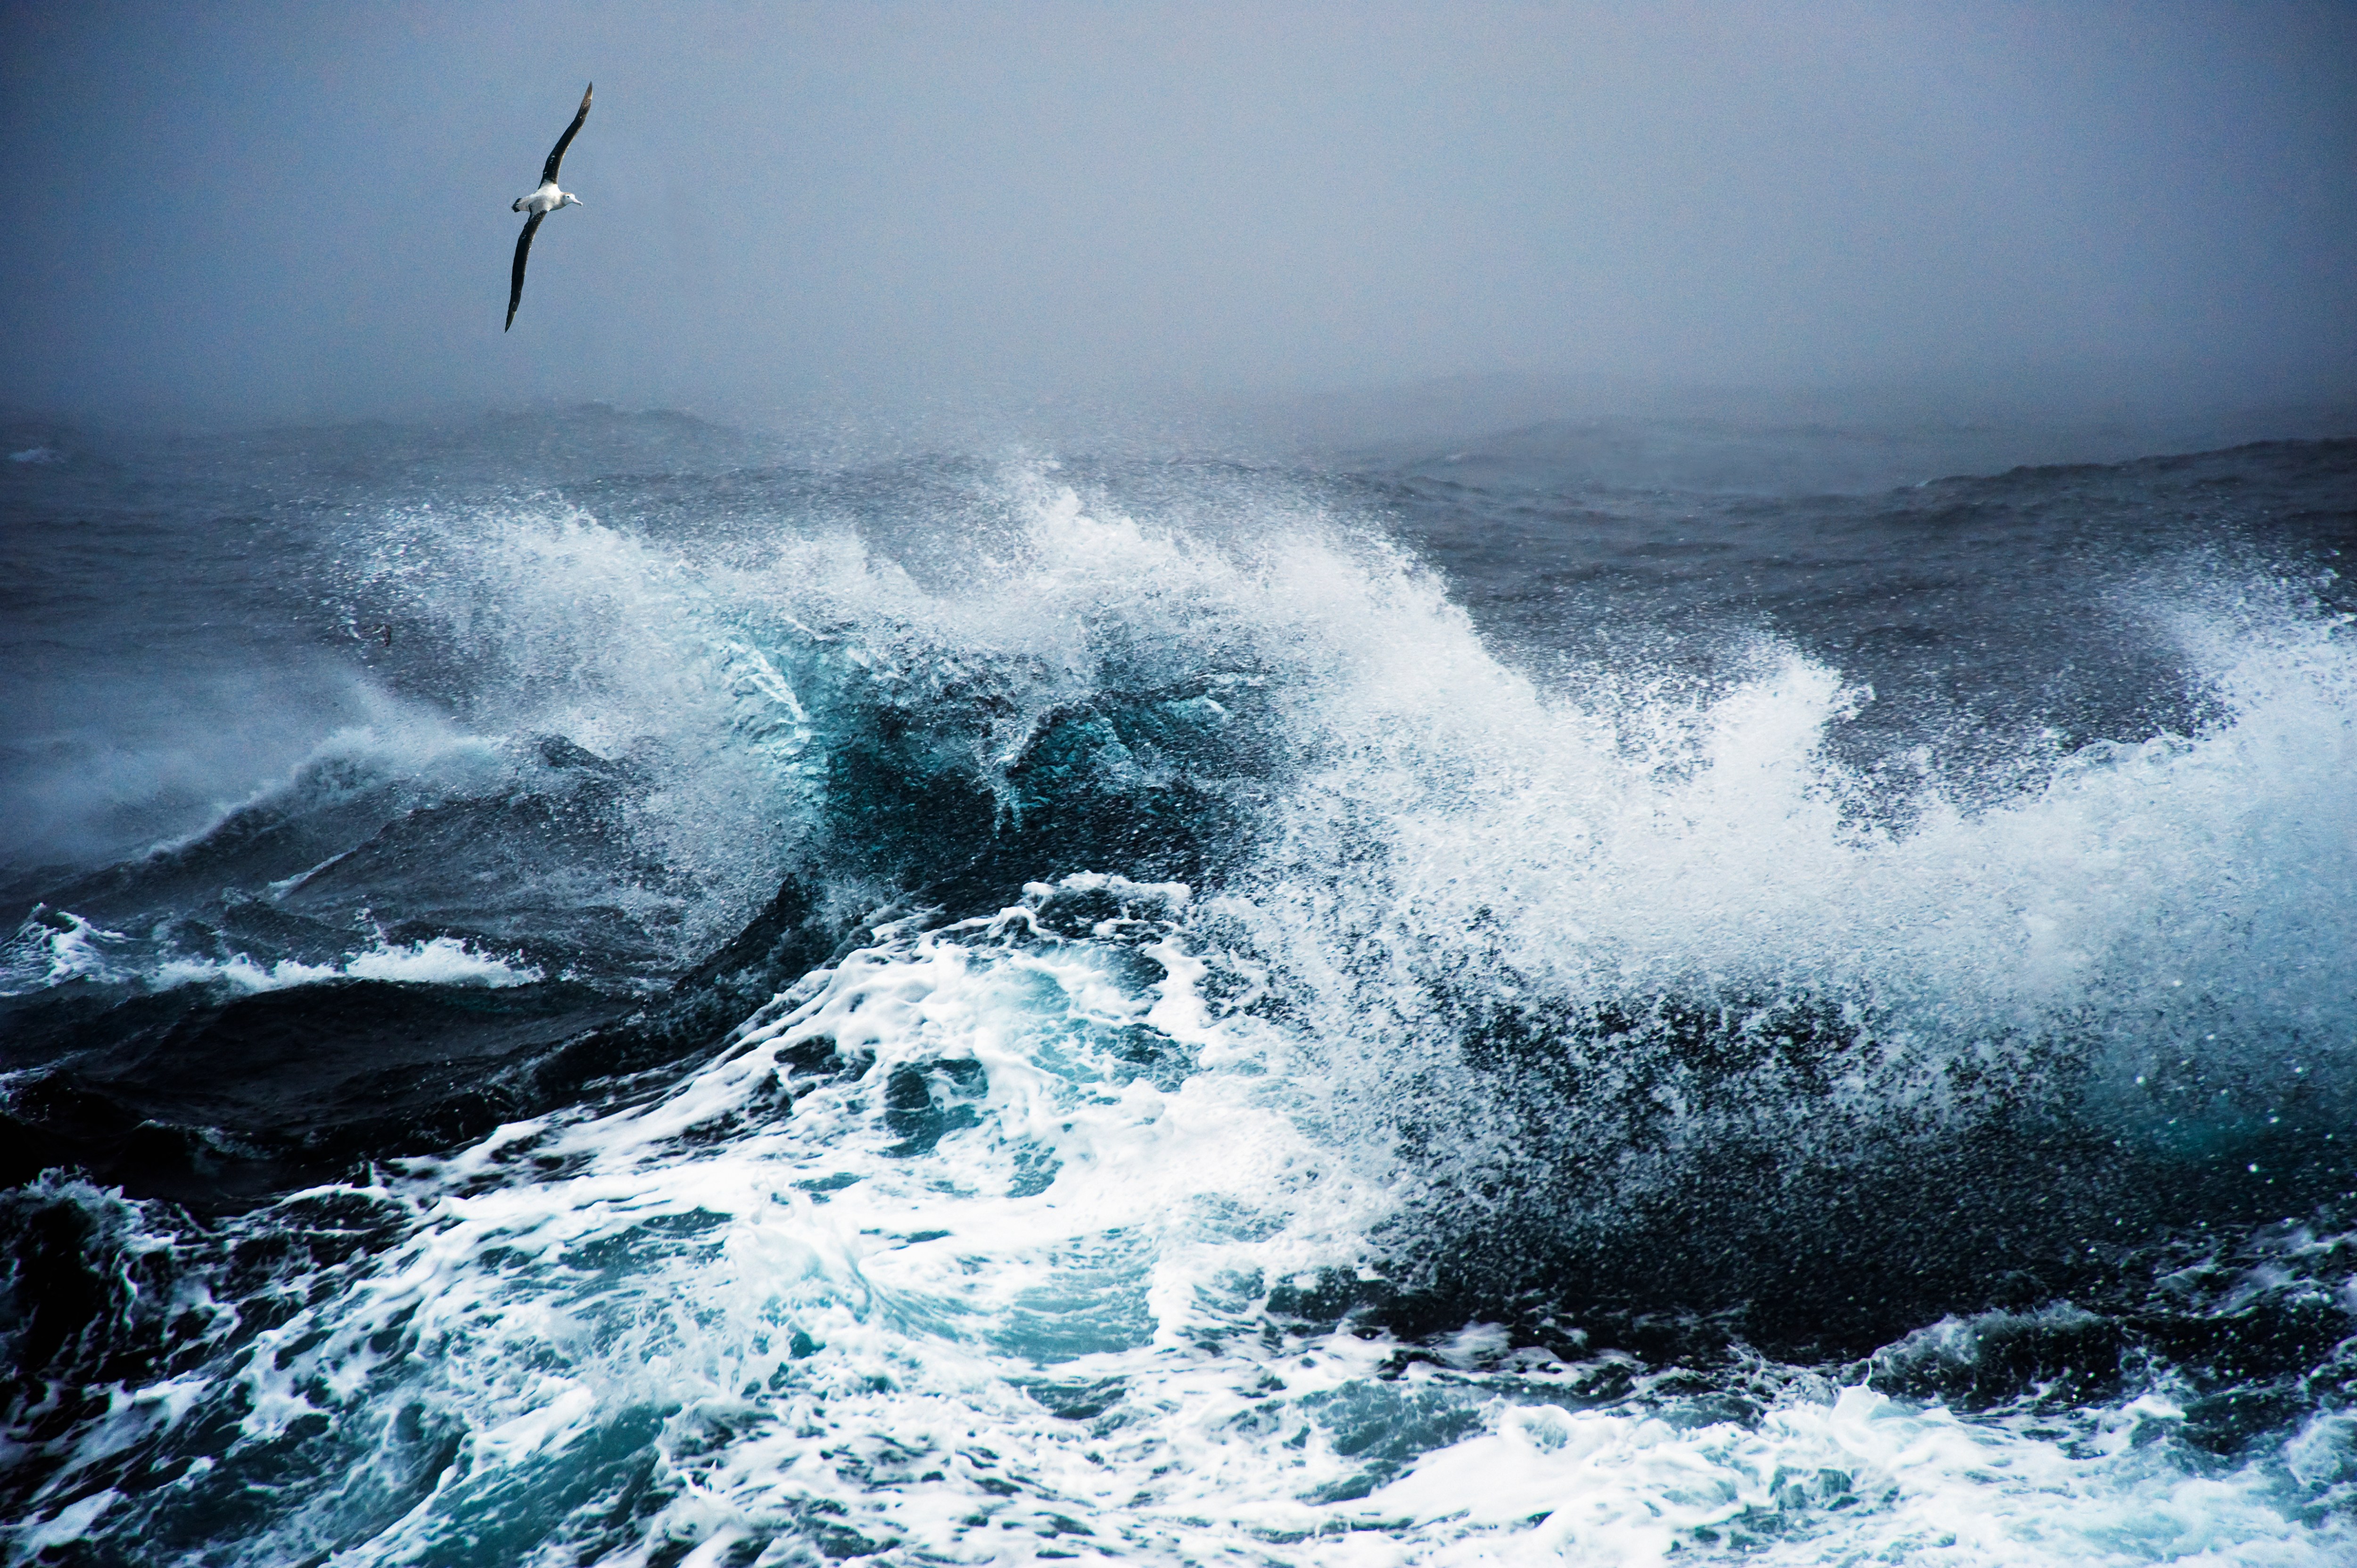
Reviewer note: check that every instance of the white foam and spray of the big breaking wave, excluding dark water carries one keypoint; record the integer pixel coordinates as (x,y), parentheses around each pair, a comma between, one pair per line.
(1003,1234)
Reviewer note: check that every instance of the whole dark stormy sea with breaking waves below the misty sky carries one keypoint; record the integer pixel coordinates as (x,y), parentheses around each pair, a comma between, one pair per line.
(593,989)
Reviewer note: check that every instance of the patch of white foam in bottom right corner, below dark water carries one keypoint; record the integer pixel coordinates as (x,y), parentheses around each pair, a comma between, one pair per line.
(1858,1480)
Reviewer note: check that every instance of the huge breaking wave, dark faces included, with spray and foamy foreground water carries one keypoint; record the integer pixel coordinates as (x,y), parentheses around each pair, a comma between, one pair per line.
(1217,1060)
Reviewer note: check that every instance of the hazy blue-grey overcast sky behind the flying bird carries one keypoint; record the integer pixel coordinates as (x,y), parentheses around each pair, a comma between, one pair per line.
(305,209)
